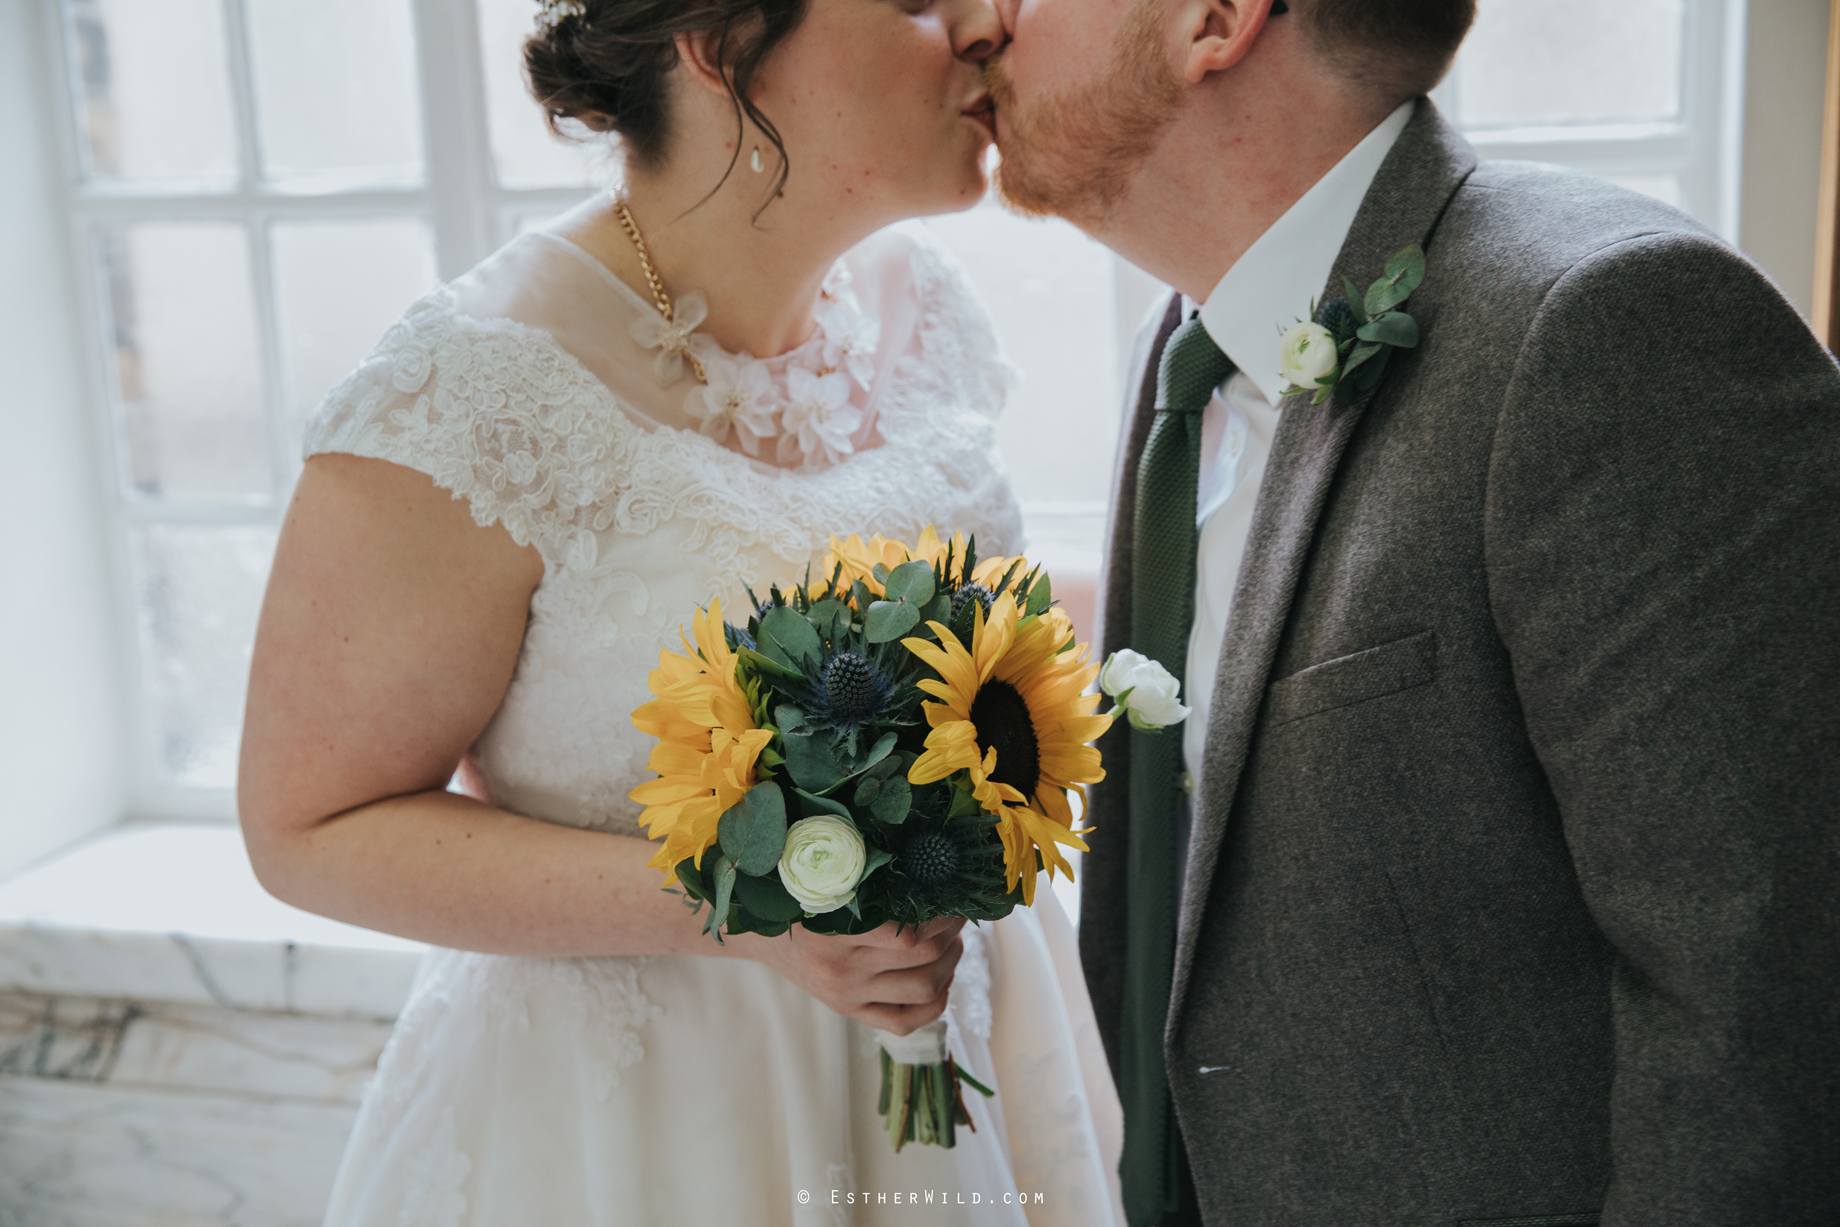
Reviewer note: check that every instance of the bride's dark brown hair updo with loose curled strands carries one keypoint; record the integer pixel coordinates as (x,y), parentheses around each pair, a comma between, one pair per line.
(606,65)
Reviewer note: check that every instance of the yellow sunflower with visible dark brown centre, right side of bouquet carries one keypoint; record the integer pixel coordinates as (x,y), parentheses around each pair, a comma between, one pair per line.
(1013,713)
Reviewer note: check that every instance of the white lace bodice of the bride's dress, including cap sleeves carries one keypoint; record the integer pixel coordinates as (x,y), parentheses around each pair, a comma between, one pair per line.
(542,422)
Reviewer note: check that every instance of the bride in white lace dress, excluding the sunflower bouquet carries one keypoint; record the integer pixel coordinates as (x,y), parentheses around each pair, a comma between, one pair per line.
(511,507)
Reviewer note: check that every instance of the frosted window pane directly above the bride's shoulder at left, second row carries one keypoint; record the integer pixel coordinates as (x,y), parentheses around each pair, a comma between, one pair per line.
(339,286)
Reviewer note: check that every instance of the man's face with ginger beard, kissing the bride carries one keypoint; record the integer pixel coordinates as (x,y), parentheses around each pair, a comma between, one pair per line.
(1083,93)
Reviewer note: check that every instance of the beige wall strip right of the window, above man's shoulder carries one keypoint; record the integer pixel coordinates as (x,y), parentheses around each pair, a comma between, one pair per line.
(1786,73)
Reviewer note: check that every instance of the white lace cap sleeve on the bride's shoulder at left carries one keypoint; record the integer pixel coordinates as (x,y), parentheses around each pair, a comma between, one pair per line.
(494,413)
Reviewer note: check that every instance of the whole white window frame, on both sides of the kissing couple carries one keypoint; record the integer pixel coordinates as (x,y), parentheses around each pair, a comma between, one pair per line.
(472,214)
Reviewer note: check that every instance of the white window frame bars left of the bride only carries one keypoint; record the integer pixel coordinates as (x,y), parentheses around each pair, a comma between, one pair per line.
(468,212)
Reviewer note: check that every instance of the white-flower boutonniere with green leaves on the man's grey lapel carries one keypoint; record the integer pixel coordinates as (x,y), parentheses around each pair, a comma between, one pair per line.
(1350,339)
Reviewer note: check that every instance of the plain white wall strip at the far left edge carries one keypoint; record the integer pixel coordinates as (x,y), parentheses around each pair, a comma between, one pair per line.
(60,709)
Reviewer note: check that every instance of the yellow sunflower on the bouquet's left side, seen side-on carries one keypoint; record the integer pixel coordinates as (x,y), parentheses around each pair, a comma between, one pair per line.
(707,744)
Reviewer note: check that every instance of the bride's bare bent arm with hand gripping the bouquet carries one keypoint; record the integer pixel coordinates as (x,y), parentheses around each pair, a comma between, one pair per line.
(387,639)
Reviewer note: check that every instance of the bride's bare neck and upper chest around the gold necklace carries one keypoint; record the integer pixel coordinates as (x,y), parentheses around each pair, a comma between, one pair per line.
(761,277)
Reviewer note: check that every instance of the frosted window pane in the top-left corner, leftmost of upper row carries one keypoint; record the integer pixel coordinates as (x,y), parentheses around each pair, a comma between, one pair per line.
(154,95)
